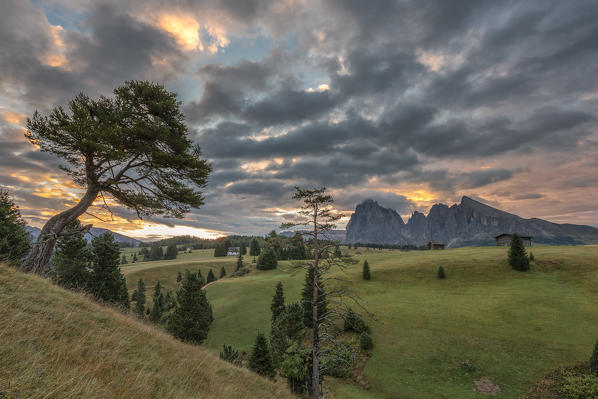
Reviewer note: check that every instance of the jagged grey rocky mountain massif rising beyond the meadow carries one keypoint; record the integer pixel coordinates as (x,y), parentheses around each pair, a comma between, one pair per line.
(464,224)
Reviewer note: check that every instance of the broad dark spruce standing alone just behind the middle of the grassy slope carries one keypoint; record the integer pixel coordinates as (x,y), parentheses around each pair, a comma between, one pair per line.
(192,315)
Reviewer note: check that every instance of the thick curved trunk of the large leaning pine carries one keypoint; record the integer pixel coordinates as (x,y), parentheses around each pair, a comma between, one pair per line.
(42,250)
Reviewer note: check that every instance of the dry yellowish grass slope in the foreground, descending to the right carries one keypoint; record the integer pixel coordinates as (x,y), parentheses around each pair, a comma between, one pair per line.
(59,344)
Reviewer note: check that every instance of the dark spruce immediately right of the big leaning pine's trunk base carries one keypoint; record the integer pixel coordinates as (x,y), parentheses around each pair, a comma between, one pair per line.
(71,261)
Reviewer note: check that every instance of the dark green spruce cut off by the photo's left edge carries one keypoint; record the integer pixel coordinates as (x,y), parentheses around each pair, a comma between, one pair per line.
(14,239)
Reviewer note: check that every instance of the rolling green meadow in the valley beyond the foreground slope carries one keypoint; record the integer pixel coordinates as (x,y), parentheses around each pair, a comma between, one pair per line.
(509,326)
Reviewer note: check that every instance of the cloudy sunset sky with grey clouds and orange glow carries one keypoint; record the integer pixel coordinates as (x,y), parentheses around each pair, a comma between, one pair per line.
(410,103)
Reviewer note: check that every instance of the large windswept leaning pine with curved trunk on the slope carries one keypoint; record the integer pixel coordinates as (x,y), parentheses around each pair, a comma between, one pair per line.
(133,147)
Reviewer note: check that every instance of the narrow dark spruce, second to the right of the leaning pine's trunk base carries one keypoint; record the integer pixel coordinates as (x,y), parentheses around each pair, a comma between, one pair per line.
(106,281)
